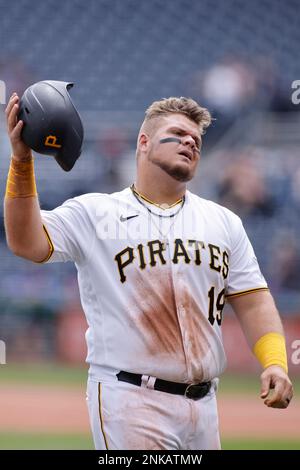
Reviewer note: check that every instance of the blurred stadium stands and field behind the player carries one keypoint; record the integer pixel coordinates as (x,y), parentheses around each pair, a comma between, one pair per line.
(239,59)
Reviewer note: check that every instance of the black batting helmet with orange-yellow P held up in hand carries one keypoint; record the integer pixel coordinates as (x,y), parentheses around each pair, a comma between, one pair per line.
(52,125)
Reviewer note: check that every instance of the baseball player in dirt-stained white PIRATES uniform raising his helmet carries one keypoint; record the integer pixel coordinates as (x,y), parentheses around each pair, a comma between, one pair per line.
(156,265)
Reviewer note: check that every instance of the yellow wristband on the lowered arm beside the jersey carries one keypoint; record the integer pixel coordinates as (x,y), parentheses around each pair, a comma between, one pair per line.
(270,350)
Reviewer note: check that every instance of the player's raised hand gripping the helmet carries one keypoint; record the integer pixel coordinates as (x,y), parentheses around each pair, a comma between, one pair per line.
(20,151)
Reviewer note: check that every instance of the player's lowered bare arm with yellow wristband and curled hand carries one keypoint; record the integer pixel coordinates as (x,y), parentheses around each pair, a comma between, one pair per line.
(262,327)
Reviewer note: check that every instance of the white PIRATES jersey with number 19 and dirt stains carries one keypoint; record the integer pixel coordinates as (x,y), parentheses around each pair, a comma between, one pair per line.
(152,286)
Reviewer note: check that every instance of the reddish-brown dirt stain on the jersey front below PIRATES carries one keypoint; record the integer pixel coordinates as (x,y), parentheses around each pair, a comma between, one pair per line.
(171,323)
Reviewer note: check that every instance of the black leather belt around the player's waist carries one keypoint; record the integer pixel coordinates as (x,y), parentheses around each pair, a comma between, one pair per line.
(193,391)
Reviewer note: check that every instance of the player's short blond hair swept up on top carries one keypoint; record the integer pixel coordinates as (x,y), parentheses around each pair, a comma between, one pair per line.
(186,106)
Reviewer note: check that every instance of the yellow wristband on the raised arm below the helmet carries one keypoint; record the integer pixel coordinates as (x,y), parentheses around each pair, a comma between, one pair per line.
(21,180)
